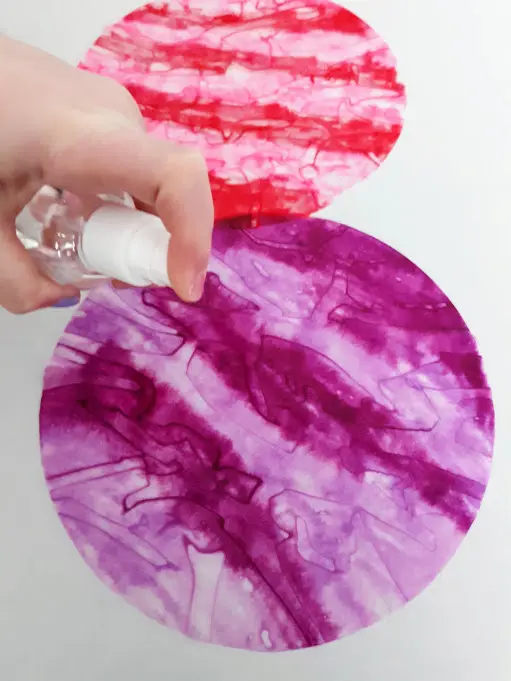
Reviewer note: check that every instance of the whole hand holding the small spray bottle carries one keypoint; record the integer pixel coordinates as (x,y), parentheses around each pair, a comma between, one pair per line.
(78,131)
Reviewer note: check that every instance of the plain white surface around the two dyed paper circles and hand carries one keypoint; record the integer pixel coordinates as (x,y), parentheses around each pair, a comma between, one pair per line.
(443,198)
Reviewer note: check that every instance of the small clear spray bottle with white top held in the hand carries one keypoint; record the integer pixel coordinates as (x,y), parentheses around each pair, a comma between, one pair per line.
(86,241)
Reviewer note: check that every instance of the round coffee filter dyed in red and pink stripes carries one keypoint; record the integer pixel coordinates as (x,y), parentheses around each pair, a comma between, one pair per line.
(291,102)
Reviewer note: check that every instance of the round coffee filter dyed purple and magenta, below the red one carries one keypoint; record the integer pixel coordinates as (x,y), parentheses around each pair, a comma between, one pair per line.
(286,461)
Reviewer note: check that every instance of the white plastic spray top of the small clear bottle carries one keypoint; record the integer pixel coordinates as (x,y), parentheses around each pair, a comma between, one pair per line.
(126,244)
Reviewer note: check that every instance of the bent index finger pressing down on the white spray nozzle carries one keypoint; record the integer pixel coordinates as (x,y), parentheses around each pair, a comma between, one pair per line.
(111,156)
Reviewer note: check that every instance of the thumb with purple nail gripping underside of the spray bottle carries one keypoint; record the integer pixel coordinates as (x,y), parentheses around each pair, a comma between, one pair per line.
(22,287)
